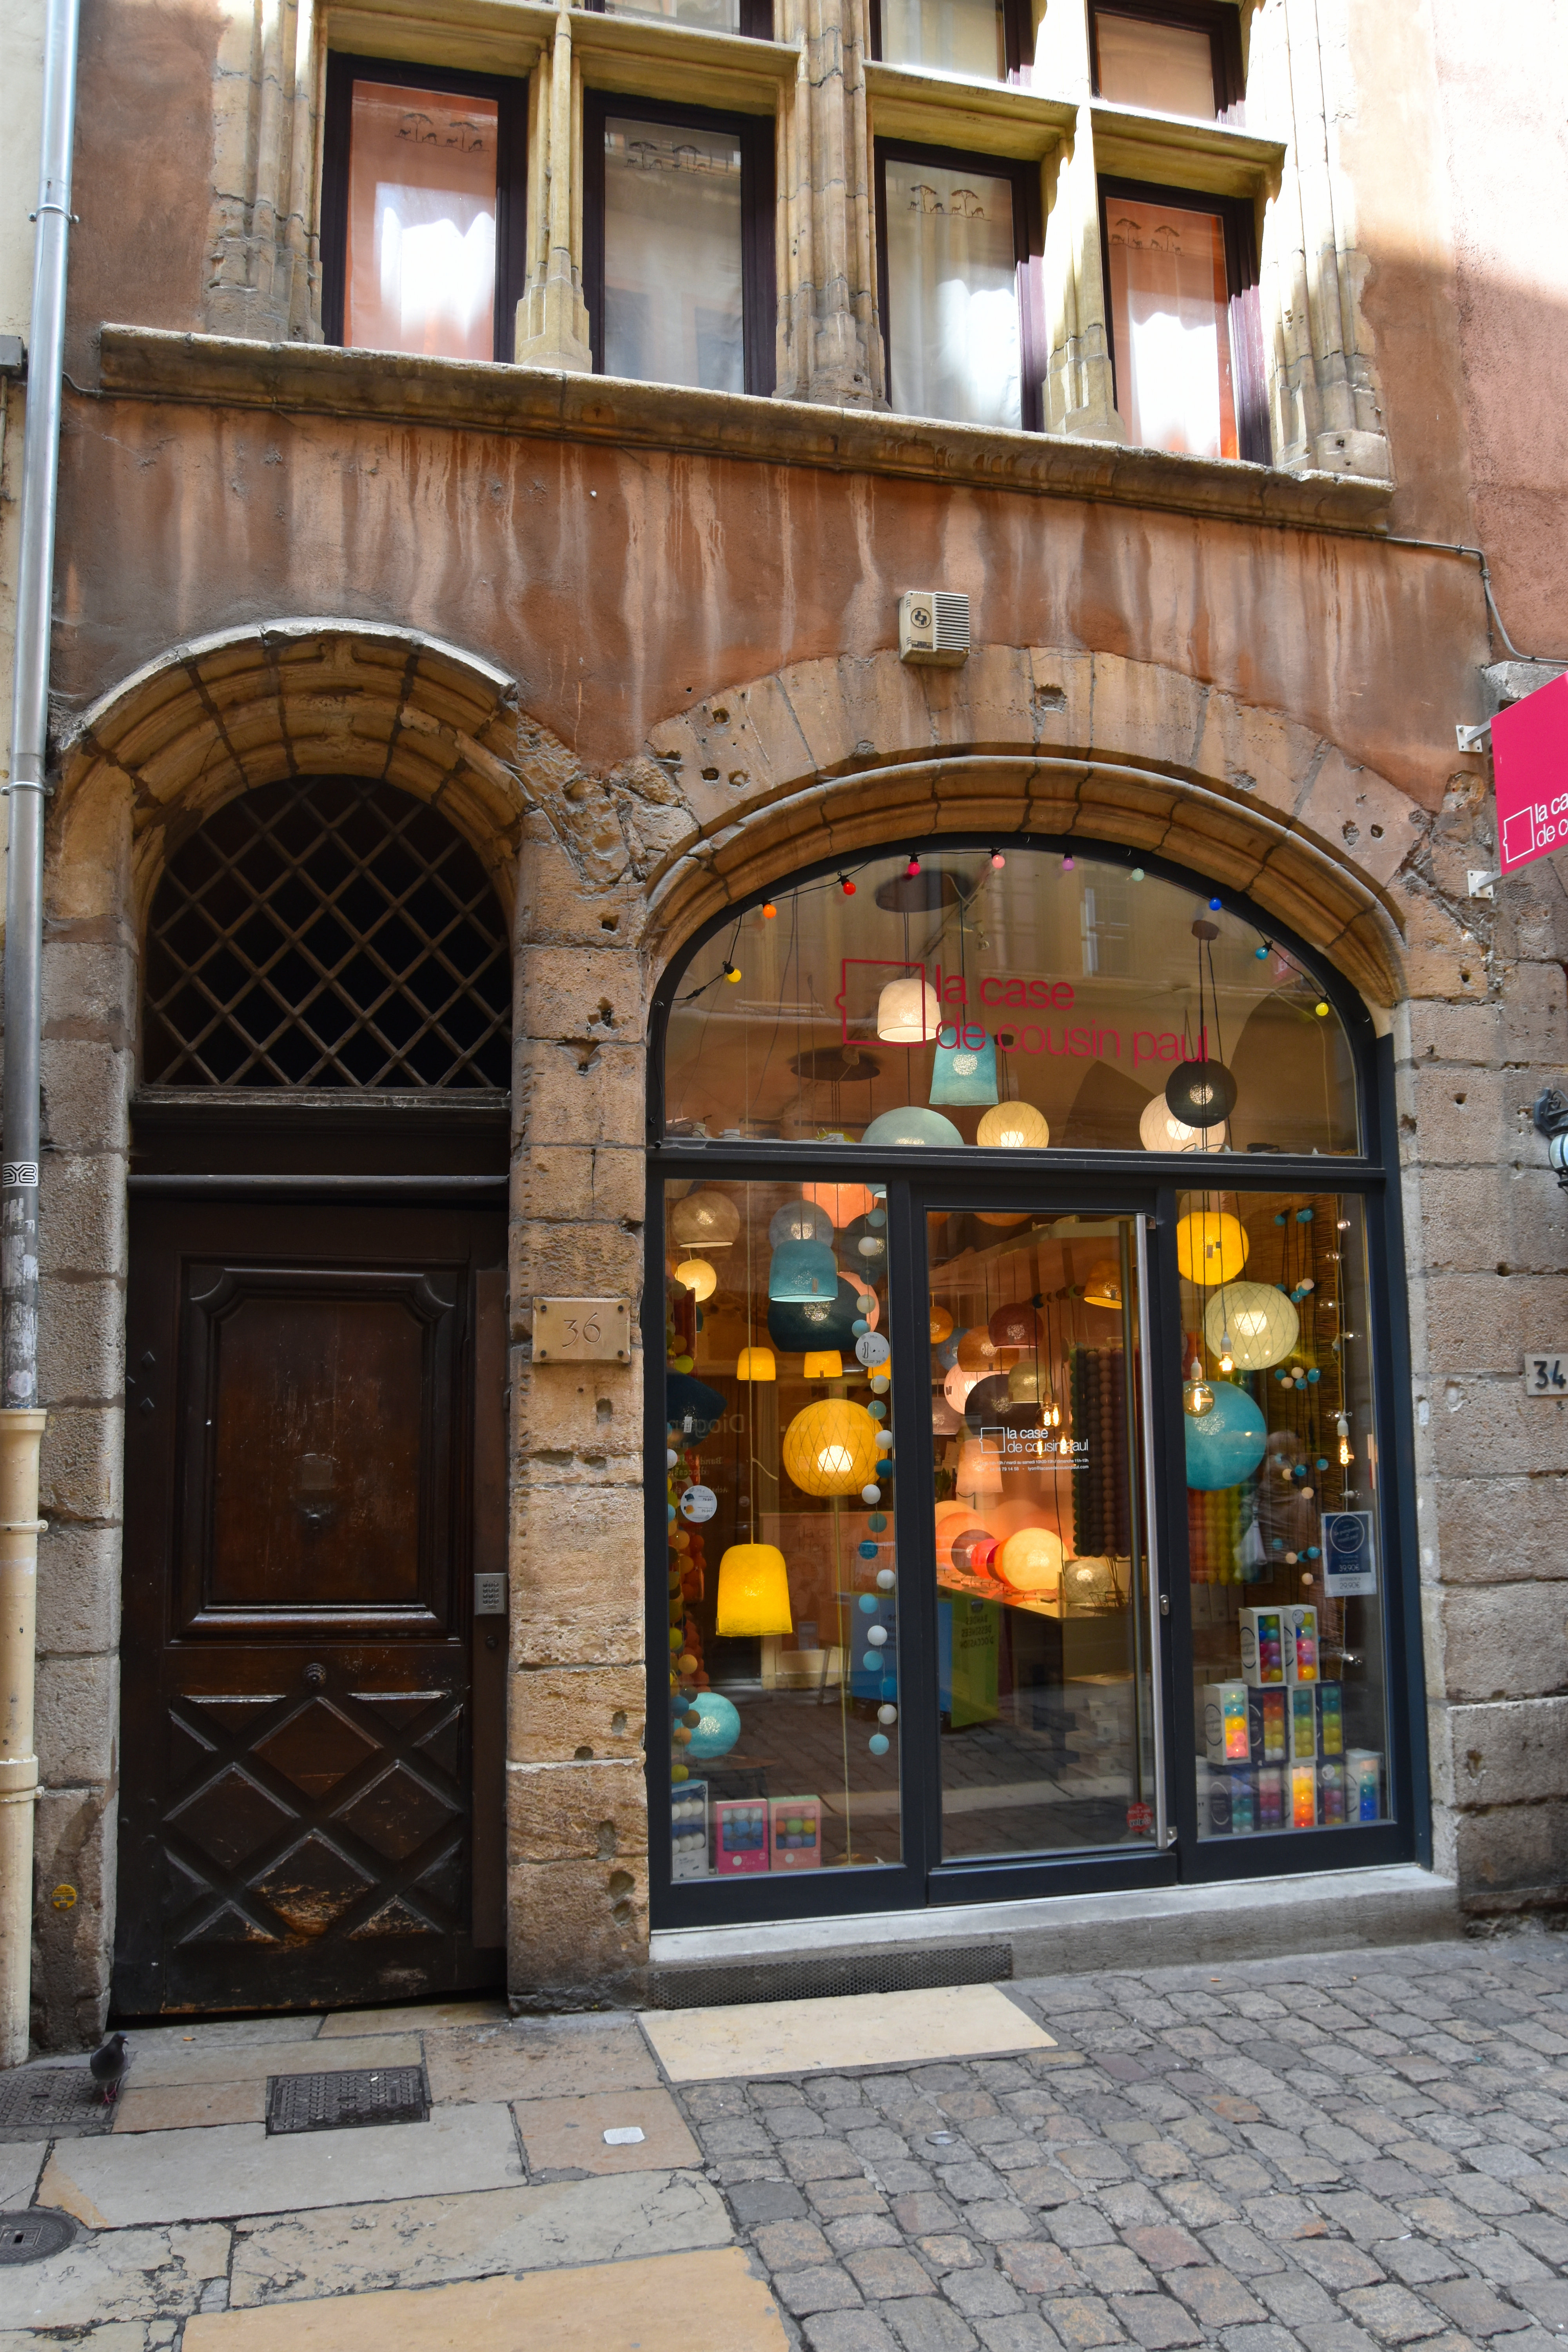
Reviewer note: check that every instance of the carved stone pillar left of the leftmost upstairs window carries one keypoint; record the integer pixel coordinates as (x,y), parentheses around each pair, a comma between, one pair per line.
(262,260)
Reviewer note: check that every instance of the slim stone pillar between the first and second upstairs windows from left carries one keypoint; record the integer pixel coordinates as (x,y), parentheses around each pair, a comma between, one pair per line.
(554,316)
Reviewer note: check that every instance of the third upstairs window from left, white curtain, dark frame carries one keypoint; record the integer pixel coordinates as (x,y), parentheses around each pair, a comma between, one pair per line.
(958,239)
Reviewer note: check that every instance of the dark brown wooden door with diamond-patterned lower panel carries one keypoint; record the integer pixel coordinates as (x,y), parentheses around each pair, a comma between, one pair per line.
(311,1464)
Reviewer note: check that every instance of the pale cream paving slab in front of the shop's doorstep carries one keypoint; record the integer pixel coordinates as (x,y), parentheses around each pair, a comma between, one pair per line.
(859,2029)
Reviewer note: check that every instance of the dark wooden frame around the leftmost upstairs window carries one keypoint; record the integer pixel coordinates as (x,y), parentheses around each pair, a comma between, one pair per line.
(511,100)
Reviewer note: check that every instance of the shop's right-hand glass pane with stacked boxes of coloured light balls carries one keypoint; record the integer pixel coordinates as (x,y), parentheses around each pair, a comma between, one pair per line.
(1285,1528)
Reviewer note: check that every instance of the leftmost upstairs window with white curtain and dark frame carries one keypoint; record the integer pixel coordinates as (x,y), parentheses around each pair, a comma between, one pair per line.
(422,211)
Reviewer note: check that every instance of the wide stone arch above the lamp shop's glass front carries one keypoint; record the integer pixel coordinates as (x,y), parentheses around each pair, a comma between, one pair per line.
(831,759)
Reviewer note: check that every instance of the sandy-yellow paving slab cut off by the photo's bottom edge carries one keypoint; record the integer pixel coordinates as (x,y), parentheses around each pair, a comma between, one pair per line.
(674,2304)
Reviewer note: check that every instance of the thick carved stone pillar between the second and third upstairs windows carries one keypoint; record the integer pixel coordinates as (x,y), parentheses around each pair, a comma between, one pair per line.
(829,333)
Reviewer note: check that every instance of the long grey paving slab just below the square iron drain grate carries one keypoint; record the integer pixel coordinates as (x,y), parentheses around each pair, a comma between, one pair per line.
(159,2177)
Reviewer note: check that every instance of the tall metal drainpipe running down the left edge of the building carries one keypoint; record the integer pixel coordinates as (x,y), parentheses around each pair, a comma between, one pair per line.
(20,1419)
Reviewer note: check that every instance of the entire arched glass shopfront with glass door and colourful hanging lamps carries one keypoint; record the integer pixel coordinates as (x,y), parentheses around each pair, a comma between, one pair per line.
(1024,1514)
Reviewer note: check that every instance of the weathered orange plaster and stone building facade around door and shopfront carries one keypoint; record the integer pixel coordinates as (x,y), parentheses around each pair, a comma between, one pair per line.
(638,646)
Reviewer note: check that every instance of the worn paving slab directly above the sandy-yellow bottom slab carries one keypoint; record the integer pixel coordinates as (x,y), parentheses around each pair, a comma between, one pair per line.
(422,2243)
